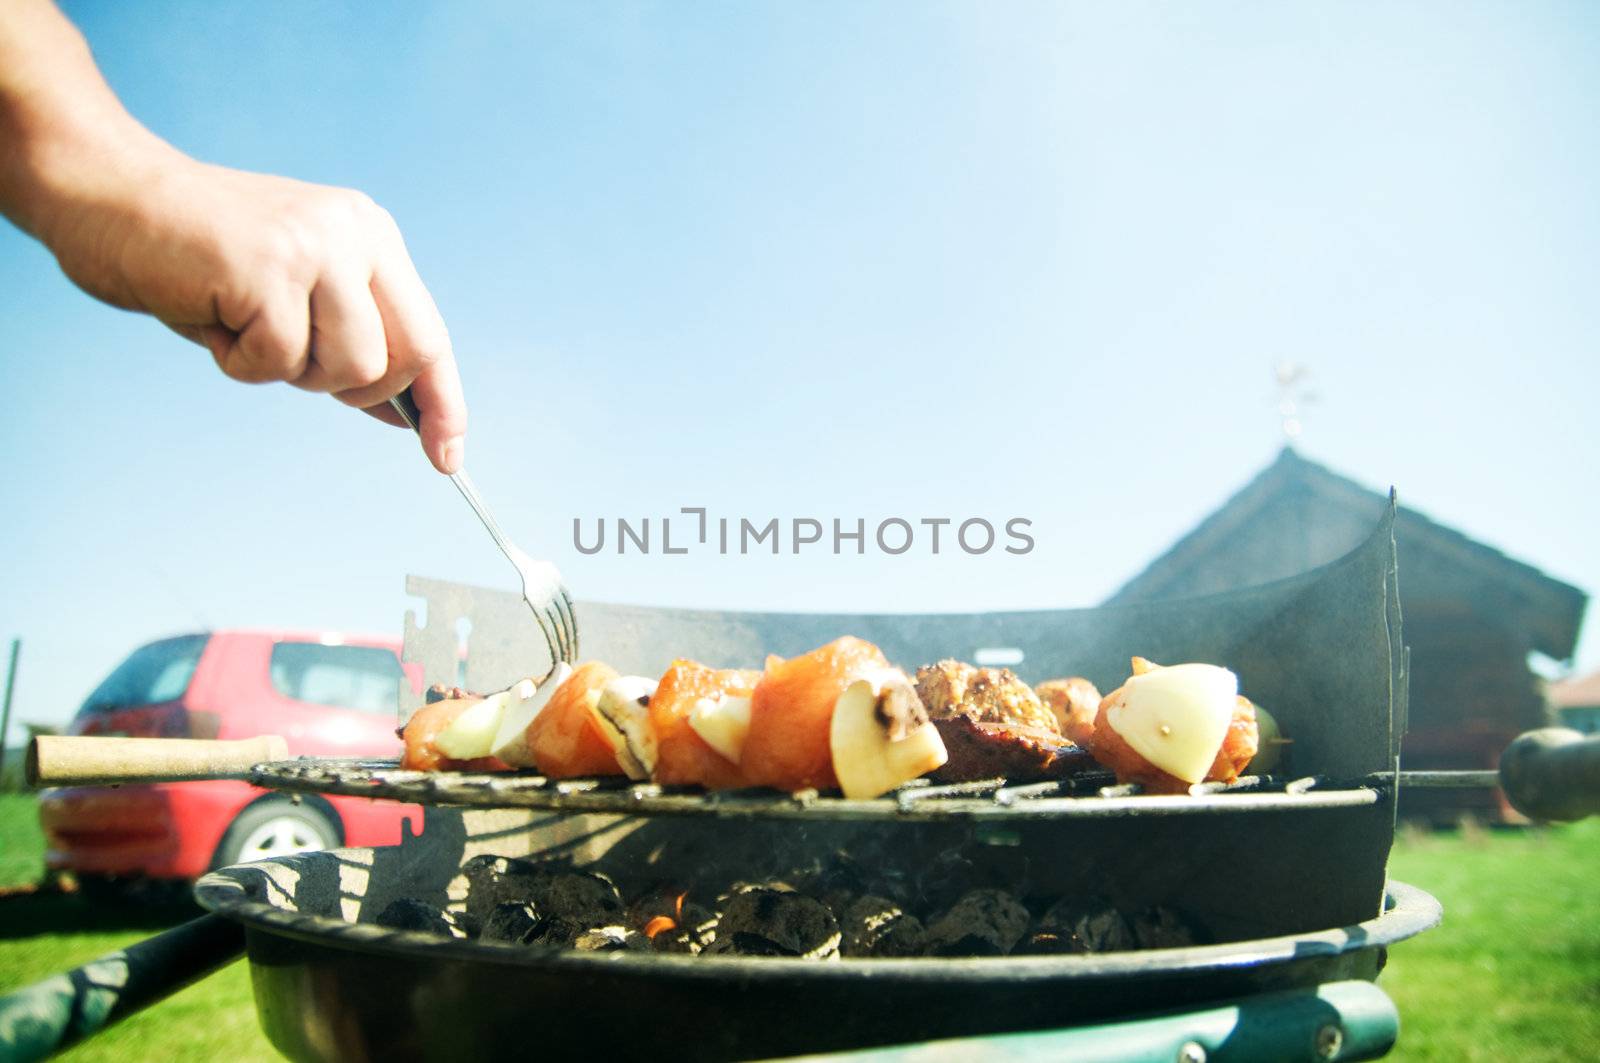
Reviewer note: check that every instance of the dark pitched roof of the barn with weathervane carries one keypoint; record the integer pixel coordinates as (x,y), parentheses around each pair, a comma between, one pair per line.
(1298,515)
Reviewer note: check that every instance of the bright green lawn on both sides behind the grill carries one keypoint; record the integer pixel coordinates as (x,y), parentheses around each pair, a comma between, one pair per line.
(1513,974)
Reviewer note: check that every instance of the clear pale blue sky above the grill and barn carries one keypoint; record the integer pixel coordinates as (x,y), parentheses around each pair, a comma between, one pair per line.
(833,260)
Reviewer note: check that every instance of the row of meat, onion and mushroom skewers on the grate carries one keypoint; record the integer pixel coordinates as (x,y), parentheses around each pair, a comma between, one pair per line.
(842,718)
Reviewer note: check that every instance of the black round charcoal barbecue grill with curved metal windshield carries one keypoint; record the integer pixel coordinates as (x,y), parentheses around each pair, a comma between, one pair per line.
(1286,875)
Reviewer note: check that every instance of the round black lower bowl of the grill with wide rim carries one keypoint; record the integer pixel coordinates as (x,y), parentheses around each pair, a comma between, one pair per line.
(329,989)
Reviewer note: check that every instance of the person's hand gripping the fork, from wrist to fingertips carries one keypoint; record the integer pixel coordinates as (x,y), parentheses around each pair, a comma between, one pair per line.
(281,281)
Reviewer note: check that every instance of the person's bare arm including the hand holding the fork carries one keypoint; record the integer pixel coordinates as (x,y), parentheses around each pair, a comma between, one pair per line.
(281,281)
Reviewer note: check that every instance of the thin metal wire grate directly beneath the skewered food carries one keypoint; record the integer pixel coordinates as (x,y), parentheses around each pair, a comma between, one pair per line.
(1086,796)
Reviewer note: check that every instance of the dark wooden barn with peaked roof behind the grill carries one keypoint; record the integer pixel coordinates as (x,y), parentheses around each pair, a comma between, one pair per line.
(1473,616)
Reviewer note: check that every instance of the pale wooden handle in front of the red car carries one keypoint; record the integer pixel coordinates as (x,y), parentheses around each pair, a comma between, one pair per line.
(60,761)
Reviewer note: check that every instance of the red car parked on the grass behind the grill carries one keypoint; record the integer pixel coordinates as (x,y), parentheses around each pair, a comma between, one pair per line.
(324,694)
